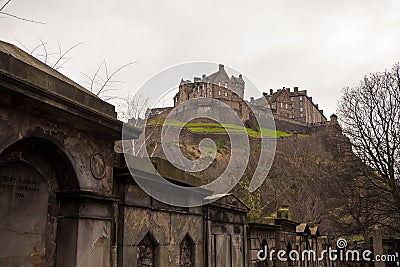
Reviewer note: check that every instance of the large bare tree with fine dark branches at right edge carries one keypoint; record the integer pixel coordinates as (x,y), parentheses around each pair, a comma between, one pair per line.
(370,117)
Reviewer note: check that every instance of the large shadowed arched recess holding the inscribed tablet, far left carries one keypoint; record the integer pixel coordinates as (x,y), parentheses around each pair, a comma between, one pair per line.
(32,171)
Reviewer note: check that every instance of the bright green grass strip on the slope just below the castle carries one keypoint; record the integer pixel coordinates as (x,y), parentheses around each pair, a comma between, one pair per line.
(221,128)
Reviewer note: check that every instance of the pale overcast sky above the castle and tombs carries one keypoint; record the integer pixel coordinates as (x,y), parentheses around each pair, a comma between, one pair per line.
(317,45)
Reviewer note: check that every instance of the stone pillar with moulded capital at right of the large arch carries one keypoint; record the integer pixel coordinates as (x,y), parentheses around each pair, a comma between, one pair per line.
(84,237)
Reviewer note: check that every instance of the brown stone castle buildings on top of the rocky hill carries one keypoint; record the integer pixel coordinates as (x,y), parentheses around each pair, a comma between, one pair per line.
(284,103)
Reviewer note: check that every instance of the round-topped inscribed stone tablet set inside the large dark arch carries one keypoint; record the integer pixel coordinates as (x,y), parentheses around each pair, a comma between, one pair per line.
(23,213)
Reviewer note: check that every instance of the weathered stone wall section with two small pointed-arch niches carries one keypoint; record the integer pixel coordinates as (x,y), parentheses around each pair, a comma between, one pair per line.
(216,233)
